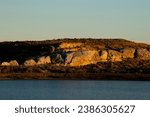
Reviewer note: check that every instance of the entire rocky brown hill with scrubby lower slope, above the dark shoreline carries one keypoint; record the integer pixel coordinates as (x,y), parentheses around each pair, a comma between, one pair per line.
(75,56)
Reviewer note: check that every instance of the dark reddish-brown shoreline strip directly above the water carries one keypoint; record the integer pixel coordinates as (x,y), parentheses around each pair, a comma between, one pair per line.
(75,76)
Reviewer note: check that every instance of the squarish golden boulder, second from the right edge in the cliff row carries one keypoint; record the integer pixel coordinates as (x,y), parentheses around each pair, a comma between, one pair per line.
(128,53)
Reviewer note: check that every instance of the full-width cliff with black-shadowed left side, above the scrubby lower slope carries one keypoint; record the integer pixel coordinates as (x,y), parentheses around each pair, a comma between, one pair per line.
(76,52)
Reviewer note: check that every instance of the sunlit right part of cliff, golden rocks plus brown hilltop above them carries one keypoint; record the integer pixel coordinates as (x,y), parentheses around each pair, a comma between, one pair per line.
(94,51)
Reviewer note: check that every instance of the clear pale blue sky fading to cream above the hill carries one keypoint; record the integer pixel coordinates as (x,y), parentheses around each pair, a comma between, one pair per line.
(48,19)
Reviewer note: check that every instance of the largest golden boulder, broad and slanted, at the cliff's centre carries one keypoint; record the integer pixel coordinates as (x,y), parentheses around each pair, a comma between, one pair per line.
(80,58)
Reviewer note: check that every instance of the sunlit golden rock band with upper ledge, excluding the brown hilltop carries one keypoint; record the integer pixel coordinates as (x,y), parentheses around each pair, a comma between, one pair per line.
(79,54)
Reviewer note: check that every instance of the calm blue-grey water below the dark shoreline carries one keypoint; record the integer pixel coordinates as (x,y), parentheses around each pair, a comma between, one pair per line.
(77,89)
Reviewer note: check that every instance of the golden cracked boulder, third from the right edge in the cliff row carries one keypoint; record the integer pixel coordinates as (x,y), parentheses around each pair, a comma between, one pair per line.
(114,56)
